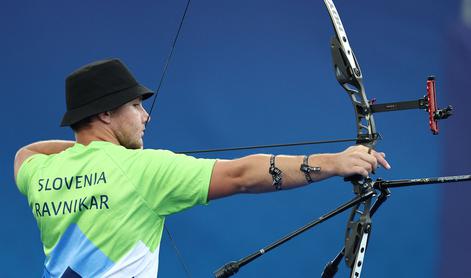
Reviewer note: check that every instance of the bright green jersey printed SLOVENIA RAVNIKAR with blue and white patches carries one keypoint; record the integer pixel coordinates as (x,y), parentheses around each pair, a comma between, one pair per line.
(101,208)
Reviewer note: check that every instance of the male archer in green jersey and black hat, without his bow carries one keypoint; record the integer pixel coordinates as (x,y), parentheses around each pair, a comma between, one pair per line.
(121,218)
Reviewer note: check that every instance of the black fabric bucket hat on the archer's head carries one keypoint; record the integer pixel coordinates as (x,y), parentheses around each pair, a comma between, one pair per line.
(98,87)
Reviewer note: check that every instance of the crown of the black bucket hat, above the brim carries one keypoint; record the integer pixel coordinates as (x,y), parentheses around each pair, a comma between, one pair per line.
(97,80)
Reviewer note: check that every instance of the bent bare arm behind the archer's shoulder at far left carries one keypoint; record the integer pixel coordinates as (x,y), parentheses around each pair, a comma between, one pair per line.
(41,147)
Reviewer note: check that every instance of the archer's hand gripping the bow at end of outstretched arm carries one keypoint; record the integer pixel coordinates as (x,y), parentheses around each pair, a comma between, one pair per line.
(358,160)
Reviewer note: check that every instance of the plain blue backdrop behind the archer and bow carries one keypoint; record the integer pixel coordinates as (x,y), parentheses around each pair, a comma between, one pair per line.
(246,73)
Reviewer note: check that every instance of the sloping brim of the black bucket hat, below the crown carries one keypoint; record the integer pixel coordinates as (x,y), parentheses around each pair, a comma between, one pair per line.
(105,103)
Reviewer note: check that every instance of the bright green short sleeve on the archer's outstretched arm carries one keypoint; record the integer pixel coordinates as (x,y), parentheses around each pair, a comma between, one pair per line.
(170,182)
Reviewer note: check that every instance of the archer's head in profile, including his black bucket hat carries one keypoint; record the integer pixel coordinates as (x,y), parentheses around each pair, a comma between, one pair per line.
(105,96)
